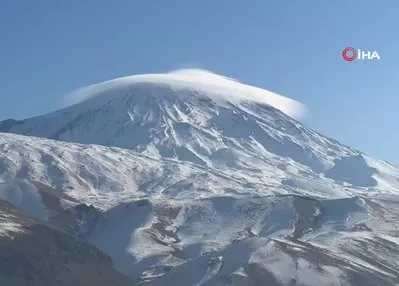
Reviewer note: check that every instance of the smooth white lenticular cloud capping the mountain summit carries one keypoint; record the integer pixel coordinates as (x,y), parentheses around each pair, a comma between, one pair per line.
(217,86)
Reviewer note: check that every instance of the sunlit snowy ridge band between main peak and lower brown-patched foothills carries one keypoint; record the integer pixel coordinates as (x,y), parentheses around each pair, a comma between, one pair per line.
(105,176)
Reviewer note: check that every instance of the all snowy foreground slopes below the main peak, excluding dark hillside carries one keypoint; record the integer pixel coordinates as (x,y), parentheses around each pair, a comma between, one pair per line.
(168,222)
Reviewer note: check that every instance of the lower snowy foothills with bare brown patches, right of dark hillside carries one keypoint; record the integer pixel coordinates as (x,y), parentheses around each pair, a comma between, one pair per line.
(278,240)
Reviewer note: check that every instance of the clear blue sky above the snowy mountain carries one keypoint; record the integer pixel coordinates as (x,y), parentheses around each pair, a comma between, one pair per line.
(50,47)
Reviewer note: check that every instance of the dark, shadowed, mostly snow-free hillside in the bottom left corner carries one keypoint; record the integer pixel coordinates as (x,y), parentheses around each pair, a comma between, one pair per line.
(34,253)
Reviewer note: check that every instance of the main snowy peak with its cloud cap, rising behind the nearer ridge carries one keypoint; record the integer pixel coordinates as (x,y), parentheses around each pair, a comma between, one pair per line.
(222,123)
